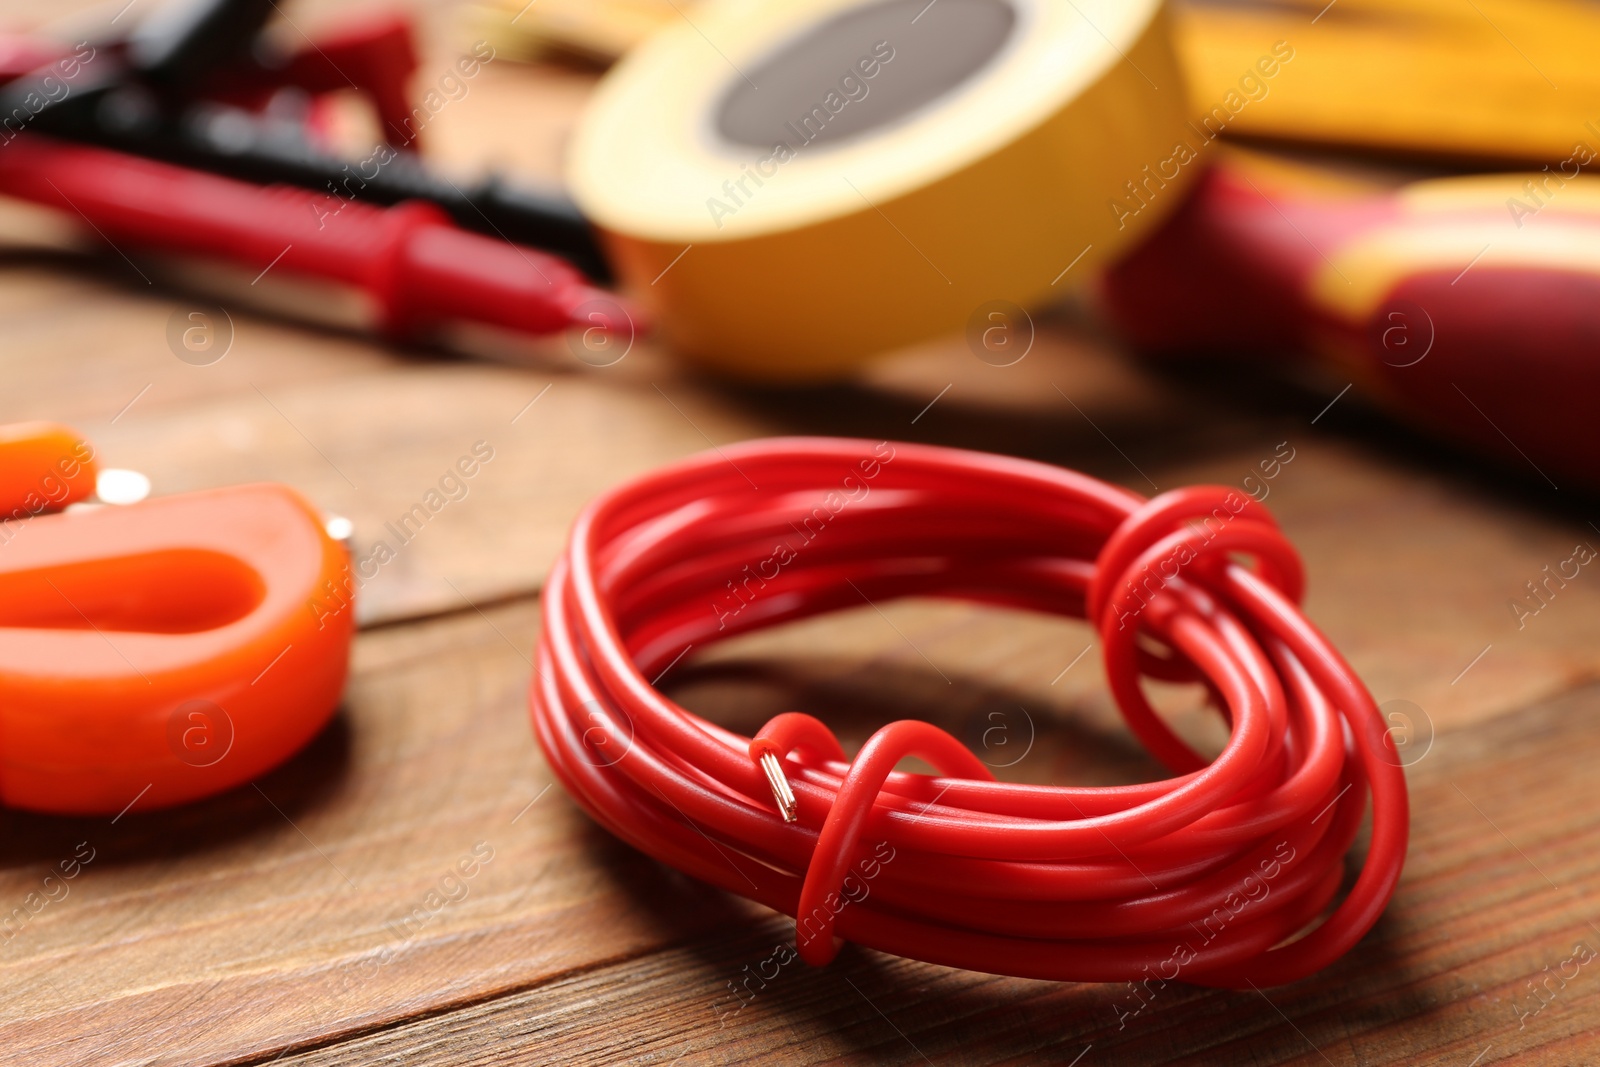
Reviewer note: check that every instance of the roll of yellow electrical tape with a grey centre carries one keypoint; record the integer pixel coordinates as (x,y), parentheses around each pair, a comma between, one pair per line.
(794,188)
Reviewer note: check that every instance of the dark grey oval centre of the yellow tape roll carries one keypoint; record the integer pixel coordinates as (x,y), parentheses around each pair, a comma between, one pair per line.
(863,70)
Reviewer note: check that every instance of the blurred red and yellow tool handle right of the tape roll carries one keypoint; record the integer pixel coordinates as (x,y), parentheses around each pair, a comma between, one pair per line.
(1470,305)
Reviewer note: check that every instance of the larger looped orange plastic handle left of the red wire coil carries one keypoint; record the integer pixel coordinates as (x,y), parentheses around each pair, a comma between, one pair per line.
(169,650)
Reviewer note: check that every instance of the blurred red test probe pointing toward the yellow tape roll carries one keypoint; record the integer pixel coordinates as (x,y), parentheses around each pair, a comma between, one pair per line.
(418,268)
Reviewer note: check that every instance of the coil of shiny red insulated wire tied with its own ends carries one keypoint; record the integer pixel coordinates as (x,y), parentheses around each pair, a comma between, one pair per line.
(1225,874)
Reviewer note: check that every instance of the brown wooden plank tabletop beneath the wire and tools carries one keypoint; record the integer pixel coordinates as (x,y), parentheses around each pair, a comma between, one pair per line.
(298,921)
